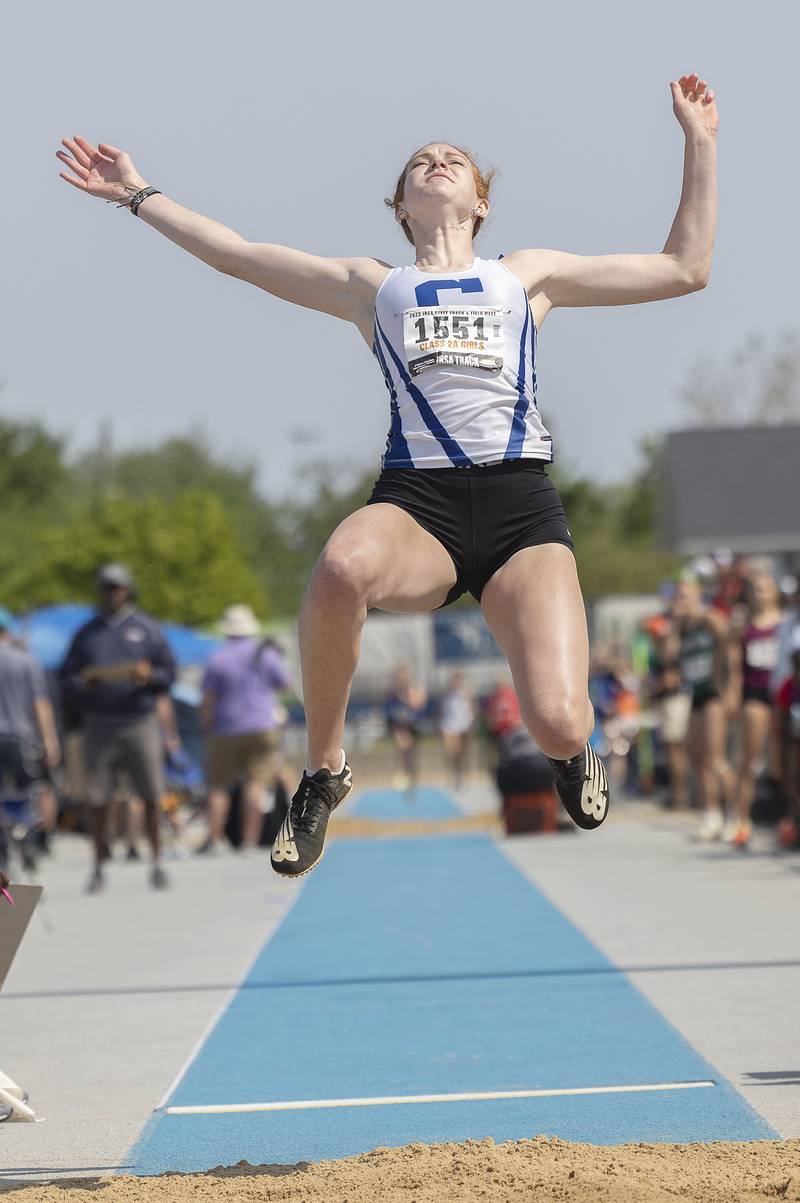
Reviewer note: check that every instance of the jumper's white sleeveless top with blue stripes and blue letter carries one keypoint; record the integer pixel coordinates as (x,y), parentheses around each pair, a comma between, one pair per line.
(458,353)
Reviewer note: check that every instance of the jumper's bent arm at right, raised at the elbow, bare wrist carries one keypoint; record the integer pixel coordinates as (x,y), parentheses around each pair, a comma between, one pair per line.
(684,265)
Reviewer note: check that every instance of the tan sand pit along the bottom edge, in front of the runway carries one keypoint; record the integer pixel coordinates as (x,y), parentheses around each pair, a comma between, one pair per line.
(541,1170)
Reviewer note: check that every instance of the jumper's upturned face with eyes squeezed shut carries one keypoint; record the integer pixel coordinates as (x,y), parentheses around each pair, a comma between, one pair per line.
(440,183)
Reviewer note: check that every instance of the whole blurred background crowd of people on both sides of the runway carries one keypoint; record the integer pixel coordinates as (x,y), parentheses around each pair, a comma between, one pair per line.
(702,703)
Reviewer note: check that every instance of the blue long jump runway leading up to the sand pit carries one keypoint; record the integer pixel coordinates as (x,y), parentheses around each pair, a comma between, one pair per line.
(430,967)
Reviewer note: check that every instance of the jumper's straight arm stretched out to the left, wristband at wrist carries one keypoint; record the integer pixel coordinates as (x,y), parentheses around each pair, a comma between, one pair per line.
(343,288)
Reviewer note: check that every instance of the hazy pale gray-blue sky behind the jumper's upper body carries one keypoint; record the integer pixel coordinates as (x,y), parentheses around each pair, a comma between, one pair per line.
(289,123)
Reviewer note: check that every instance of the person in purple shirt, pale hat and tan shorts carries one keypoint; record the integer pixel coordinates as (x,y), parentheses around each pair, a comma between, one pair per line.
(240,716)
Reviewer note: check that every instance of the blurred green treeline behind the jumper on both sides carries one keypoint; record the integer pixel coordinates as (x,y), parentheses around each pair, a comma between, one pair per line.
(200,535)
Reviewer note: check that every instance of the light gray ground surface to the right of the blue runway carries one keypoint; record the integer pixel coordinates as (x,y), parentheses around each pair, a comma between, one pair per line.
(708,933)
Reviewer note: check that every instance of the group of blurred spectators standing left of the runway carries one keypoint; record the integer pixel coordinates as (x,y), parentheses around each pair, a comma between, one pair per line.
(111,755)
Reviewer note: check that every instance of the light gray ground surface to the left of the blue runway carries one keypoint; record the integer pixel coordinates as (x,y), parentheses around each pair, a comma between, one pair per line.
(99,1015)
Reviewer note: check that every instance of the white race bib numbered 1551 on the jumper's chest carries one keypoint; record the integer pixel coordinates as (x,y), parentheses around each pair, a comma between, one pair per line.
(465,337)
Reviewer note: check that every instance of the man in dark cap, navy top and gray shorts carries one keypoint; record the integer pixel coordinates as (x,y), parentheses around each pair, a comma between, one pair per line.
(117,666)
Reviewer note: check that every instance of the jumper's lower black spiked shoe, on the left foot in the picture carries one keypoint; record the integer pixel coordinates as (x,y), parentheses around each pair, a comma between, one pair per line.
(301,840)
